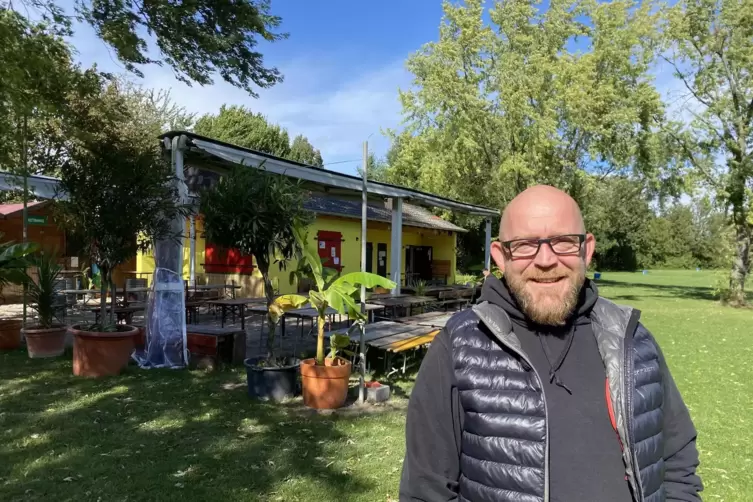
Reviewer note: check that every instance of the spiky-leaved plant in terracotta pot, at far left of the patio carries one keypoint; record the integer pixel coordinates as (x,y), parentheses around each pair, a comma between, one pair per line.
(47,337)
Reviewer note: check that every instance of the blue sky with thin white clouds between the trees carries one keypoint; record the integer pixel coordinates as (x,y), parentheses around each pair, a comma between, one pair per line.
(343,64)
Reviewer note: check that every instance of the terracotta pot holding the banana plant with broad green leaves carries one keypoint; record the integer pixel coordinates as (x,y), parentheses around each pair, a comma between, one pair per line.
(325,387)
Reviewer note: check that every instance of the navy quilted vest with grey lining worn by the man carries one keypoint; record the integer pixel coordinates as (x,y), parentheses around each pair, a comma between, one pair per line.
(504,441)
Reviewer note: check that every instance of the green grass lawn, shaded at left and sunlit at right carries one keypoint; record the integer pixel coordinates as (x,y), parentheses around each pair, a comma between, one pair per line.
(180,435)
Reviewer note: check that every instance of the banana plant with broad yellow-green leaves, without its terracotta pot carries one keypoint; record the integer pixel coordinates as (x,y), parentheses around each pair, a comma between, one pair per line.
(332,291)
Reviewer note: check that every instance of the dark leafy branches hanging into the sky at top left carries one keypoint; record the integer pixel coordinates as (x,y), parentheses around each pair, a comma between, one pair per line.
(196,39)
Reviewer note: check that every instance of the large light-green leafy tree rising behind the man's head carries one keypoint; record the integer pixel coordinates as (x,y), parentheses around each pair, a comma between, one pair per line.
(498,107)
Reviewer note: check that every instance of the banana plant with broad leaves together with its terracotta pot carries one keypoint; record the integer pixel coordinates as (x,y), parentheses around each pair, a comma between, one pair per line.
(325,379)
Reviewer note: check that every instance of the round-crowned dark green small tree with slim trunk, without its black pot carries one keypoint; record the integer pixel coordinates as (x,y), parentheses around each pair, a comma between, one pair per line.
(257,213)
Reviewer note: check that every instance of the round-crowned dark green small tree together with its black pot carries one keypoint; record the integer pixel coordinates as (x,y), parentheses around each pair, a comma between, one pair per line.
(255,212)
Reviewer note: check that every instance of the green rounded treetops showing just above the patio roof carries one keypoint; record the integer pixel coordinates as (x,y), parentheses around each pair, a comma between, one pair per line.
(240,126)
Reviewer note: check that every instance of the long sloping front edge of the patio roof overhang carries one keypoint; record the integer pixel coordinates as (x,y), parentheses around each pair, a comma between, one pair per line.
(213,154)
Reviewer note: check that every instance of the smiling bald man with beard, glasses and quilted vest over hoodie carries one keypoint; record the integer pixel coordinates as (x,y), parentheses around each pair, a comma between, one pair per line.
(544,391)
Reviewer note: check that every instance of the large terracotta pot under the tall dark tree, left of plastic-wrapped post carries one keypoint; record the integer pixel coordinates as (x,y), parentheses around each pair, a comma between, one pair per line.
(98,354)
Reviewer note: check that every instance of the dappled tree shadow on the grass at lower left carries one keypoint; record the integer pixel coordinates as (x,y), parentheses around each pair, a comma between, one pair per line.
(160,435)
